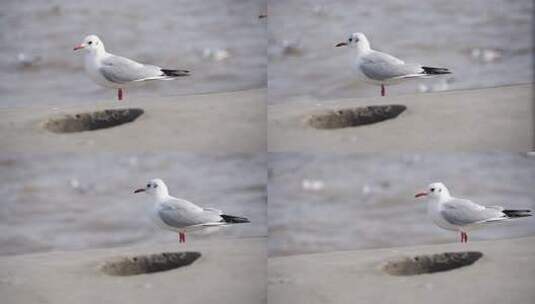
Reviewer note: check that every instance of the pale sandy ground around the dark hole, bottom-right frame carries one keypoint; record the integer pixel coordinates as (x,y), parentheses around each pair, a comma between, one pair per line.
(503,275)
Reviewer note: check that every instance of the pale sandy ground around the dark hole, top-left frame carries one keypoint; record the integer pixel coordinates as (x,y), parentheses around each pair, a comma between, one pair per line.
(225,122)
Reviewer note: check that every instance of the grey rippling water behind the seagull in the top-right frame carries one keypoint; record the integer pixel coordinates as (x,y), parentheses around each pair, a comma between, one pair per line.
(484,42)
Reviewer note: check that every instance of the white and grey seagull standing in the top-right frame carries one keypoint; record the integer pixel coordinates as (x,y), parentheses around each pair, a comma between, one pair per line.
(380,68)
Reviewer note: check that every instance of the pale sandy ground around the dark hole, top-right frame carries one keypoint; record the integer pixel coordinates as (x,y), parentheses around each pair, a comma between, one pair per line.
(494,119)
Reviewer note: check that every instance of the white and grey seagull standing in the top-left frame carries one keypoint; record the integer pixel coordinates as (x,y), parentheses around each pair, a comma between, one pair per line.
(116,72)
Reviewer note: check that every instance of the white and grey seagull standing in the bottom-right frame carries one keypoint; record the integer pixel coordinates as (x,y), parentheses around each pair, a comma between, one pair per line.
(462,215)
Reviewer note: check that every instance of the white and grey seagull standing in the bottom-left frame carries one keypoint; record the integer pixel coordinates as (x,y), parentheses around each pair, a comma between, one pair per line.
(180,215)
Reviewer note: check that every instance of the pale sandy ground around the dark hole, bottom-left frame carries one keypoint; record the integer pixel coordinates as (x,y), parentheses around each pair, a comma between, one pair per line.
(229,271)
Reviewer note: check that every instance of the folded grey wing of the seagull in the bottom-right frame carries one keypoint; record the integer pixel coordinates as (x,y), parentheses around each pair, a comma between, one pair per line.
(465,212)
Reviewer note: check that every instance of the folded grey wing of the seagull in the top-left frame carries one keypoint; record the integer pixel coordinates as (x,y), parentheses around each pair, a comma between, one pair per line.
(121,70)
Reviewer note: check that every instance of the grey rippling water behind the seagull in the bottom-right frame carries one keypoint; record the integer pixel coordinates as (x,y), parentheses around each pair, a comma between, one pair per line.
(335,202)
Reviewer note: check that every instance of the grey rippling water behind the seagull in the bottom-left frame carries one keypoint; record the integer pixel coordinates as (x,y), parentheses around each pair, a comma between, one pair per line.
(69,201)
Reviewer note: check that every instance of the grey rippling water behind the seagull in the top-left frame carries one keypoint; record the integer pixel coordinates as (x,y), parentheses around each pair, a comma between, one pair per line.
(194,35)
